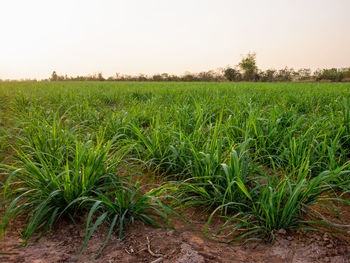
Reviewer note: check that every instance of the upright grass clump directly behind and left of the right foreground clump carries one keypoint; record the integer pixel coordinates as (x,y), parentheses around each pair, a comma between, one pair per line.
(215,183)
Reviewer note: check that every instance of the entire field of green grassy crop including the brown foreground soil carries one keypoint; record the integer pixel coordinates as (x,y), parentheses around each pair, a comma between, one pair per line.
(168,171)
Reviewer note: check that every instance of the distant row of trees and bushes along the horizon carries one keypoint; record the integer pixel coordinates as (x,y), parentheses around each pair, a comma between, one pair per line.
(245,70)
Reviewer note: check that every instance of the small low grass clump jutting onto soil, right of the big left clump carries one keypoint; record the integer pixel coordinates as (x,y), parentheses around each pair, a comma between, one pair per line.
(122,205)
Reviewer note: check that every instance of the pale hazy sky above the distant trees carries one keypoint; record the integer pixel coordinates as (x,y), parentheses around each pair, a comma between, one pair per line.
(78,37)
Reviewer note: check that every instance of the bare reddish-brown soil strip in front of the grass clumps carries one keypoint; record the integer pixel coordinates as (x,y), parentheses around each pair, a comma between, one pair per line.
(185,244)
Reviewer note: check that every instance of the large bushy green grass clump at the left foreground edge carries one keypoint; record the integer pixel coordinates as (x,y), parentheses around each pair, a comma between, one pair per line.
(45,186)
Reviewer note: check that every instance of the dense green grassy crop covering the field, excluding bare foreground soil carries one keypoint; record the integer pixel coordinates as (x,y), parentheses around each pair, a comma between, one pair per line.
(262,155)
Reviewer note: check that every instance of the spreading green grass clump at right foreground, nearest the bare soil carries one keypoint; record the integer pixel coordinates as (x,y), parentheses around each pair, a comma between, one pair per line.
(280,203)
